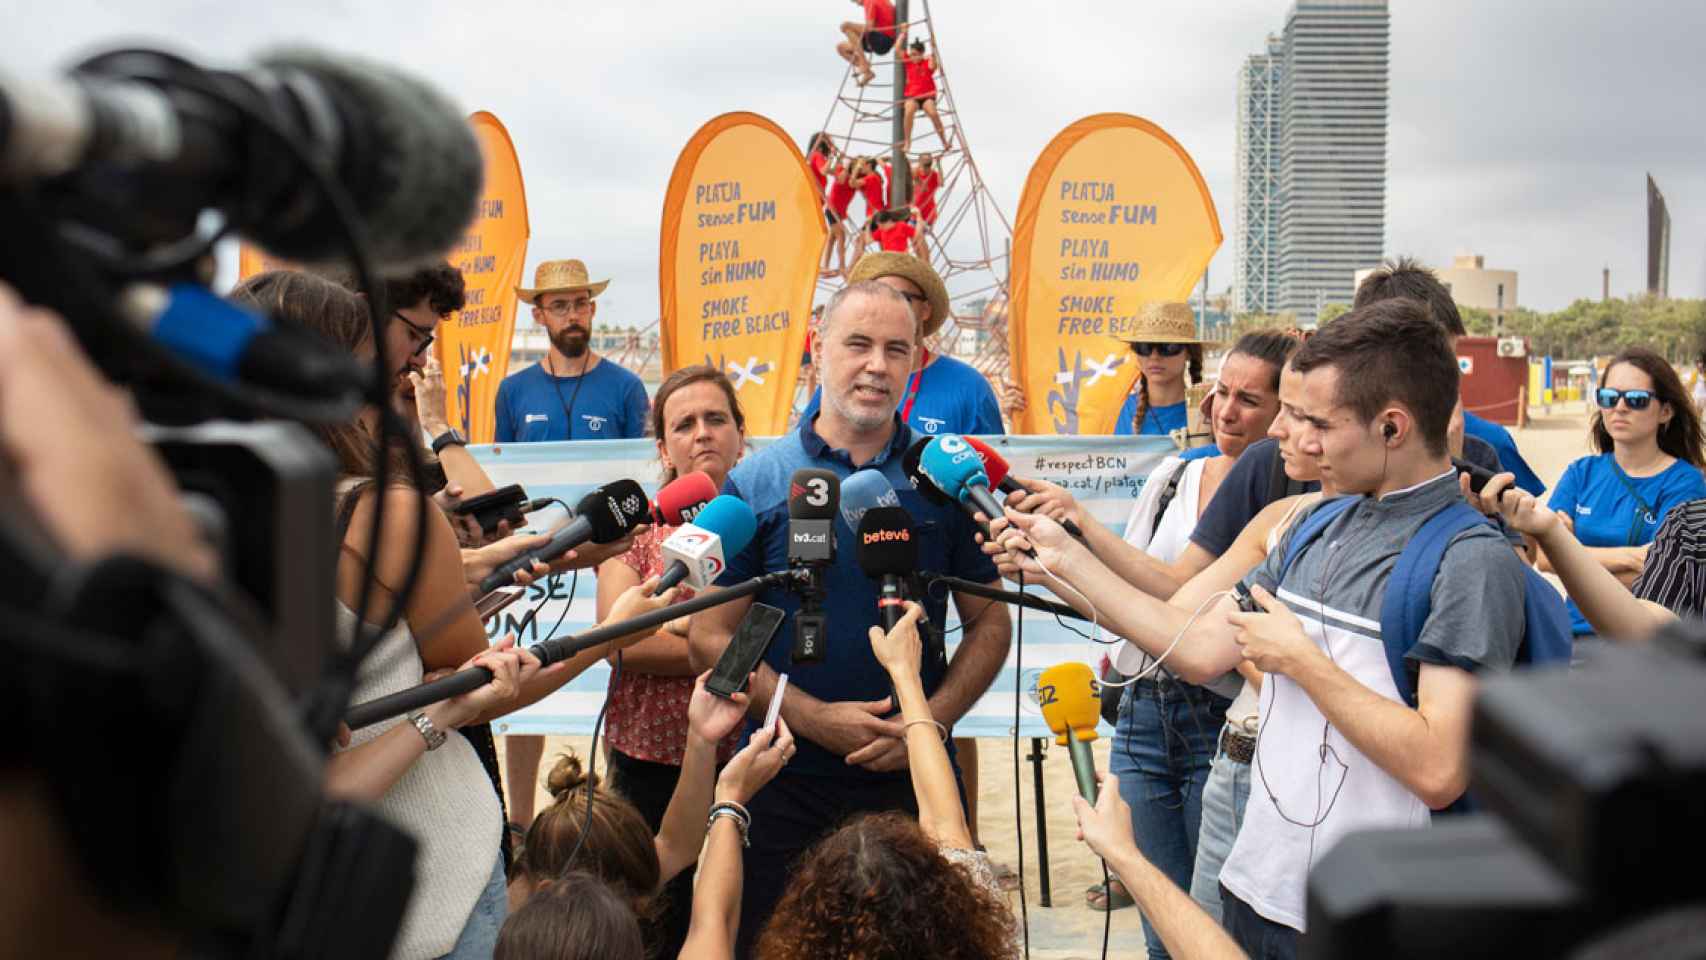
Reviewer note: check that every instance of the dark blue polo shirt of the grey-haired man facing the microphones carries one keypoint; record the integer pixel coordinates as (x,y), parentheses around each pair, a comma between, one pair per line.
(849,671)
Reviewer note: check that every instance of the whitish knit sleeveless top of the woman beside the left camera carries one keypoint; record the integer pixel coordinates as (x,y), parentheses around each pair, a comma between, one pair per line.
(444,801)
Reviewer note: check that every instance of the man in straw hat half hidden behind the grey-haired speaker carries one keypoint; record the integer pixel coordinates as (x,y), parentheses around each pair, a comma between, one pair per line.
(943,395)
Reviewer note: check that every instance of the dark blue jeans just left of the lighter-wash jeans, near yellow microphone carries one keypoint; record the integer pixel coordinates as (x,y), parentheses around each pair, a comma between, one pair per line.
(1163,749)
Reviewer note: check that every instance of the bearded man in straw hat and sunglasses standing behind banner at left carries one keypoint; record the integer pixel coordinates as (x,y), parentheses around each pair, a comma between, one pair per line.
(572,395)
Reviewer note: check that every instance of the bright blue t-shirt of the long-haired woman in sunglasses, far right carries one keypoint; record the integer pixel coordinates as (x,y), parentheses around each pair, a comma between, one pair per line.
(1601,499)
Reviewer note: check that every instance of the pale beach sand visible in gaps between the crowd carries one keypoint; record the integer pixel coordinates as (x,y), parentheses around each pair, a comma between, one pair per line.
(1069,930)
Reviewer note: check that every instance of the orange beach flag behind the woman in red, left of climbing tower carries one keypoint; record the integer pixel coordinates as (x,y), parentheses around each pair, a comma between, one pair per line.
(738,262)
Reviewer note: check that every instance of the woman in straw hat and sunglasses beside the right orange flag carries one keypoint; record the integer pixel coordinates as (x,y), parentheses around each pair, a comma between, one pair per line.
(1166,342)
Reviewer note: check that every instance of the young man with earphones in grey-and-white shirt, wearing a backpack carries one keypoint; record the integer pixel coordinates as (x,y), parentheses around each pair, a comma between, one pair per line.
(1340,749)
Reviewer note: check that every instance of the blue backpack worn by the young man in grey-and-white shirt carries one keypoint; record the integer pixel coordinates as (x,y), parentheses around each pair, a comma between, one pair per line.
(1546,637)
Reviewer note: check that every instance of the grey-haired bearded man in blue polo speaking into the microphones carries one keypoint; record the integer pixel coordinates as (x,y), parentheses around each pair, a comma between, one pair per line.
(852,751)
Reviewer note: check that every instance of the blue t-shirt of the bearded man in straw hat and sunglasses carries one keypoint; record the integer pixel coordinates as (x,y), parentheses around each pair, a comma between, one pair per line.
(537,407)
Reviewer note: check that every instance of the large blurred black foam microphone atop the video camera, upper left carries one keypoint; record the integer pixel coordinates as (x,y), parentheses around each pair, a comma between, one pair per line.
(146,142)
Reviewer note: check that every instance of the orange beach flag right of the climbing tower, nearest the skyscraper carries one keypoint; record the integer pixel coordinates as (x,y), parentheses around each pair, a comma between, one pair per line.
(1115,216)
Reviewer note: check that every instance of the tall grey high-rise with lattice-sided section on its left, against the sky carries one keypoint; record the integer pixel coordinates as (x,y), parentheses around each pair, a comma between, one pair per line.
(1313,159)
